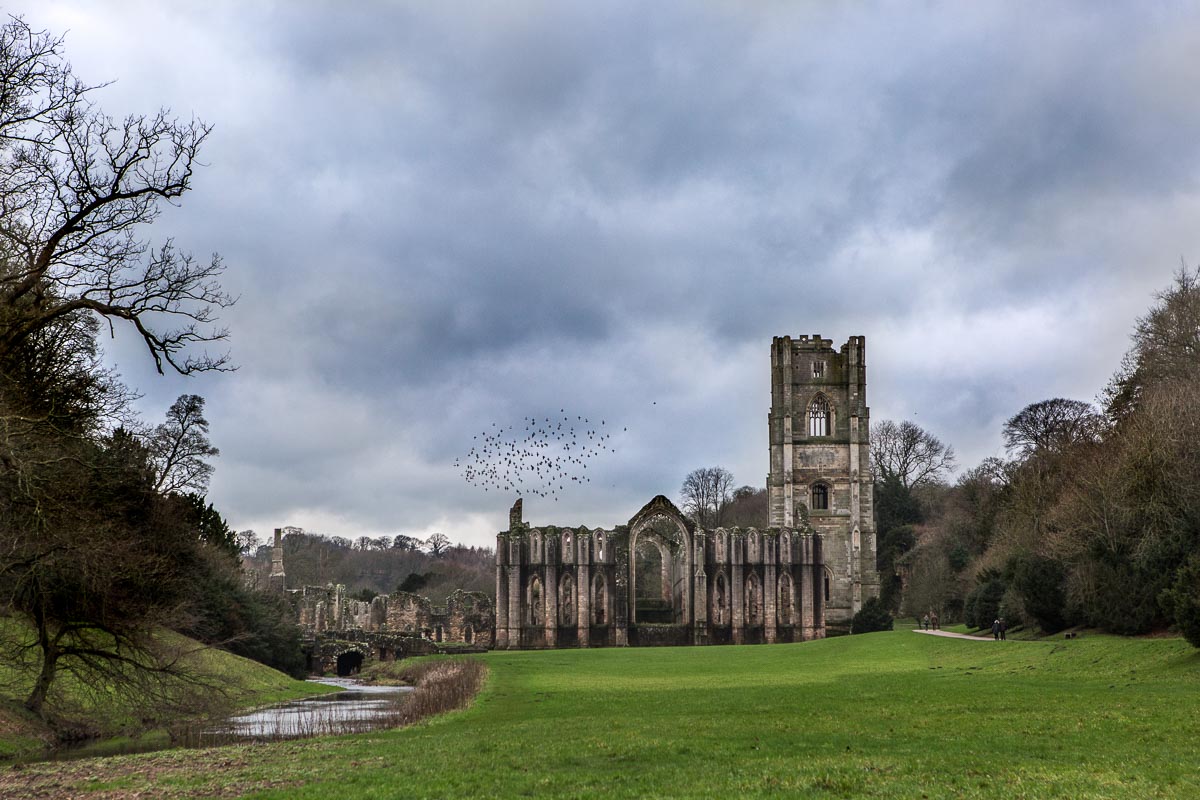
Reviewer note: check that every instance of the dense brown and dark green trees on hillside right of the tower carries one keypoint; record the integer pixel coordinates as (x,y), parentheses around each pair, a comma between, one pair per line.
(1093,520)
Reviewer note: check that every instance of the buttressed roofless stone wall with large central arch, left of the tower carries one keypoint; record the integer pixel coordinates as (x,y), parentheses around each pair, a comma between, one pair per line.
(573,587)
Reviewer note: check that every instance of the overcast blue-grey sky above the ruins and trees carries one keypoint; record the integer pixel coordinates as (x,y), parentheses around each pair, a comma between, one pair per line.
(442,215)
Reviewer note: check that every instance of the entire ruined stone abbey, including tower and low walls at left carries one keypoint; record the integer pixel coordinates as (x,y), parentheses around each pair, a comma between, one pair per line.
(661,580)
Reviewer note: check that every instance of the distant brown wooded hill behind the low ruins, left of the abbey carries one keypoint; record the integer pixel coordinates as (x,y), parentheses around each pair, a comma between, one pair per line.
(433,568)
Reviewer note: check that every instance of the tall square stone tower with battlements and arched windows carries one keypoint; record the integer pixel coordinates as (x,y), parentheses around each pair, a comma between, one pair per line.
(820,461)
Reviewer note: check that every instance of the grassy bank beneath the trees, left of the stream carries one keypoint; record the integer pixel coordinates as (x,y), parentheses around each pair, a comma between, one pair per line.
(247,683)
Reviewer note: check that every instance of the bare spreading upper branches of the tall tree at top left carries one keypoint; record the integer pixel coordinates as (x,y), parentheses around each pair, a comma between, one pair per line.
(75,189)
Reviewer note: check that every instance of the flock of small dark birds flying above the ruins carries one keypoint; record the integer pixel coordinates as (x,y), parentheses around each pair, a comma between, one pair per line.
(544,459)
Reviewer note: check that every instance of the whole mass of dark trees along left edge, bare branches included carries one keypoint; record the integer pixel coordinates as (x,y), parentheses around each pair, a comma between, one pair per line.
(106,539)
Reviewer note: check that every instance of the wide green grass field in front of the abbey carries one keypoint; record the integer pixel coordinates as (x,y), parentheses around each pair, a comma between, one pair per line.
(885,715)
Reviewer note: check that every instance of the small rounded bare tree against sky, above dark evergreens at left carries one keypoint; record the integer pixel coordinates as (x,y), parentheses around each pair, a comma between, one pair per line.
(179,448)
